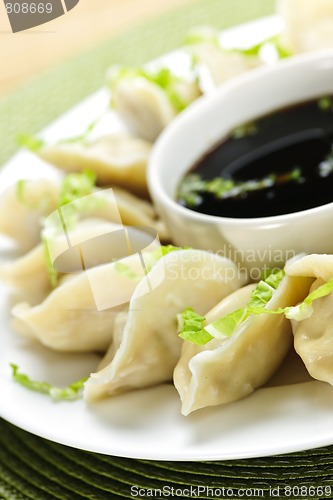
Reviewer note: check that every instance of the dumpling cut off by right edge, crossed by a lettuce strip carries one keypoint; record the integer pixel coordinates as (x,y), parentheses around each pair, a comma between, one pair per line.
(313,336)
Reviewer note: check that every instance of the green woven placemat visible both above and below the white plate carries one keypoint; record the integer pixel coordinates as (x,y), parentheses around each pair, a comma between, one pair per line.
(33,468)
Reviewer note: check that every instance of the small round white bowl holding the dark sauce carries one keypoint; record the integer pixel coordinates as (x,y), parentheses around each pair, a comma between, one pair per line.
(256,242)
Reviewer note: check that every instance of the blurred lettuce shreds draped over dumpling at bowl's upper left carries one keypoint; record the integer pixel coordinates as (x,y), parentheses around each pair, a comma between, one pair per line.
(162,77)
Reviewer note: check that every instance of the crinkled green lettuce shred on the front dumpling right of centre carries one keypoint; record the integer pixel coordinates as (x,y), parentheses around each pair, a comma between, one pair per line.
(193,330)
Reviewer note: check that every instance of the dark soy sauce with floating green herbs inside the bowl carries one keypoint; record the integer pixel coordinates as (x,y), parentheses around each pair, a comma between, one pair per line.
(294,139)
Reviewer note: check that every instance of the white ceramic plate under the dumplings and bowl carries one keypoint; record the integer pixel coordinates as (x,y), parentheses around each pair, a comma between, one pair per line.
(148,423)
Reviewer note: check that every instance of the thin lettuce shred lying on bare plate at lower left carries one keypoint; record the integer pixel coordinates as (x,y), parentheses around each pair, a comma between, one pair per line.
(69,393)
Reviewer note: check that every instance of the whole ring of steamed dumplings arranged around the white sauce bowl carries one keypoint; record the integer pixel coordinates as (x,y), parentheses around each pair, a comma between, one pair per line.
(126,308)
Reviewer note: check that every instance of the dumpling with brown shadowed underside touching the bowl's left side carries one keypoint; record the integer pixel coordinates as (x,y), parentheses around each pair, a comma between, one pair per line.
(118,159)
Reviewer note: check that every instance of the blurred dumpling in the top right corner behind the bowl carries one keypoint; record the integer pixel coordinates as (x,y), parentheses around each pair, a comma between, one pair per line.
(308,24)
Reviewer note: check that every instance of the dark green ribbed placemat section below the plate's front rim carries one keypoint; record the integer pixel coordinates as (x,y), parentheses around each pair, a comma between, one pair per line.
(31,467)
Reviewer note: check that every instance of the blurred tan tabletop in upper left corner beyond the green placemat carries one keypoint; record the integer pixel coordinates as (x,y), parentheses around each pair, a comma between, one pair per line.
(25,54)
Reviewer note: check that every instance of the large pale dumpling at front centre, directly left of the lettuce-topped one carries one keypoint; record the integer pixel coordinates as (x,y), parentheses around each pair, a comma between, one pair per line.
(150,346)
